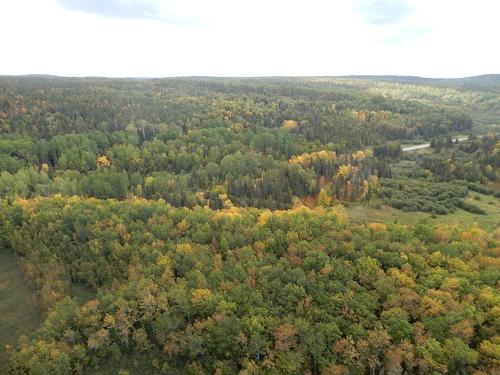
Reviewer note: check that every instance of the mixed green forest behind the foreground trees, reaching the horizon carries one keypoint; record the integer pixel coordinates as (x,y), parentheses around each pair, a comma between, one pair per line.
(208,141)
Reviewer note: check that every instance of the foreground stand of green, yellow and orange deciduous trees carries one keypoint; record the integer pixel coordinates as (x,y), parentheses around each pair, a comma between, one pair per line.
(250,291)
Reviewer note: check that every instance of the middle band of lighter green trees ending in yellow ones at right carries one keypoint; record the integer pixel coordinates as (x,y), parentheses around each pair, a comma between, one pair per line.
(215,166)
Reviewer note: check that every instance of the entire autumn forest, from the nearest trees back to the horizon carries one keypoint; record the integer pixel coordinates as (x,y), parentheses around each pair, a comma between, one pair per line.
(202,225)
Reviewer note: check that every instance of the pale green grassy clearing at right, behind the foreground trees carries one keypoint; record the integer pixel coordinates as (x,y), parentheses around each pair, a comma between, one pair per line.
(385,214)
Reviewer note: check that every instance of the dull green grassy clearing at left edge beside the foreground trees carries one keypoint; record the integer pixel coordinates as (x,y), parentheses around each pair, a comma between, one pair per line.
(19,314)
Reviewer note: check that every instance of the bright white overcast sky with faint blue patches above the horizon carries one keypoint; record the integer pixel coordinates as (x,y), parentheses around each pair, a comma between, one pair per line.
(166,38)
